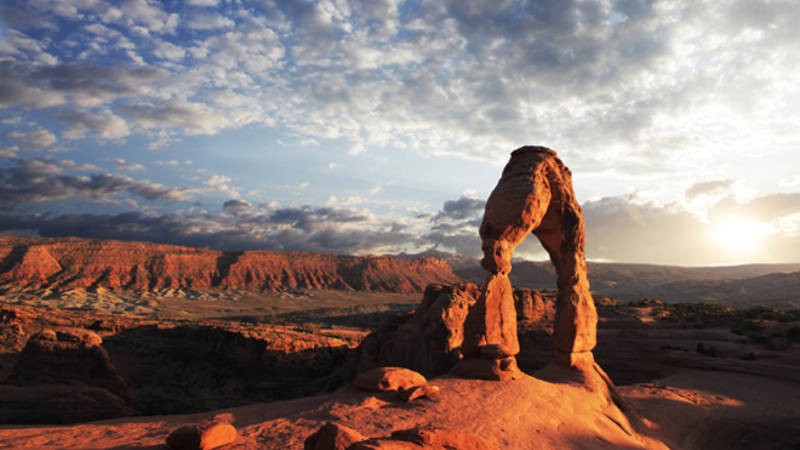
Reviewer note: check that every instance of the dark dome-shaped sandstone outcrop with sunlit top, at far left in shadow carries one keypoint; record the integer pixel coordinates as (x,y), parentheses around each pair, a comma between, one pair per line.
(67,356)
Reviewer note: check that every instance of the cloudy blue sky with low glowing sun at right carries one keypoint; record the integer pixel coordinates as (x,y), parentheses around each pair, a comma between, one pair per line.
(381,126)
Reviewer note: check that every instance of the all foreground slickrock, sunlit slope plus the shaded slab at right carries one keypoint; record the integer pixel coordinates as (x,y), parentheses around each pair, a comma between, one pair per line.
(693,410)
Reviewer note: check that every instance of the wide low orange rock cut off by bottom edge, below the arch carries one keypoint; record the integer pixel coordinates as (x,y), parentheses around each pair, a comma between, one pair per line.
(428,438)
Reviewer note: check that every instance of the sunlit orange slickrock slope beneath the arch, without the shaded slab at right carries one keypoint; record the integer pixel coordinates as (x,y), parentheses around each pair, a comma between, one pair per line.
(522,414)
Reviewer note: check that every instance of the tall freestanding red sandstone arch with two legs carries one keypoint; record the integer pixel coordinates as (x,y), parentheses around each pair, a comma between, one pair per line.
(534,195)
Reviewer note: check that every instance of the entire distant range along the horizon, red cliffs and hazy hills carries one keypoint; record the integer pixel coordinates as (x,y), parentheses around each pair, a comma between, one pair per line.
(59,264)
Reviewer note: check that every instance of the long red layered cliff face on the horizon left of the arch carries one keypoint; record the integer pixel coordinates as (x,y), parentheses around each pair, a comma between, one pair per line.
(72,263)
